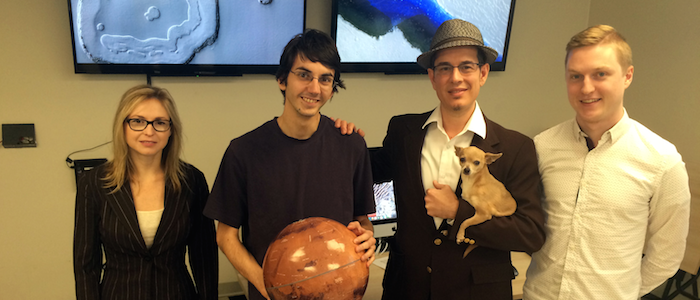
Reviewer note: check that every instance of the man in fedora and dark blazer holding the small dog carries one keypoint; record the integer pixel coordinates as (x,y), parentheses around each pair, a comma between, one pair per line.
(418,154)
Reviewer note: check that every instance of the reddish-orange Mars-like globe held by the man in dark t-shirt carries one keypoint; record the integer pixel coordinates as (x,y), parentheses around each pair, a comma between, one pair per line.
(314,258)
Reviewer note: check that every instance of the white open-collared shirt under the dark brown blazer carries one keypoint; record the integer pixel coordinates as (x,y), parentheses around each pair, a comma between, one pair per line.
(438,159)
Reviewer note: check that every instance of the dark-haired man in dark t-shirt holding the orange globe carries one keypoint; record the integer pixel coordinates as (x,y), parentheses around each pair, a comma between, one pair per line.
(292,167)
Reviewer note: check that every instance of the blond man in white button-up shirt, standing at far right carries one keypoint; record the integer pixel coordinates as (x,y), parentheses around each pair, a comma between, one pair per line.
(617,199)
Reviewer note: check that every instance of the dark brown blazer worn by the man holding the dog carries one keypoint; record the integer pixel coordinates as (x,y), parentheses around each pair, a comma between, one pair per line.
(424,263)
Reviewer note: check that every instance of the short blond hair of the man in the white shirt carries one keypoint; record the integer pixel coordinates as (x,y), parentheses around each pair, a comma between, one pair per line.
(602,34)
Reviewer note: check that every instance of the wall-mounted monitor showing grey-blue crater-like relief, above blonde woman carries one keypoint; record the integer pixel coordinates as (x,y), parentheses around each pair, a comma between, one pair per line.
(183,37)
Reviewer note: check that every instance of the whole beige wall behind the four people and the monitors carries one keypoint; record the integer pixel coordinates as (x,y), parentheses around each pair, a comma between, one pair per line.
(73,112)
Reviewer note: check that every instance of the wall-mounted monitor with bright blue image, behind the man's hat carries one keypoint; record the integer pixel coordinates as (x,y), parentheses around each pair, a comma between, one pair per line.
(388,35)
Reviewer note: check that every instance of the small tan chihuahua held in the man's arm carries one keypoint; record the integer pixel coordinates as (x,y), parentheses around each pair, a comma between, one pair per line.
(485,193)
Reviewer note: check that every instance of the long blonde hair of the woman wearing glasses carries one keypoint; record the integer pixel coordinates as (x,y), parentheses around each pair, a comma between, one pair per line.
(121,167)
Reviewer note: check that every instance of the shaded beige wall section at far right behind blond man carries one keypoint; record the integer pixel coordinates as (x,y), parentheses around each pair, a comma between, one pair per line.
(665,41)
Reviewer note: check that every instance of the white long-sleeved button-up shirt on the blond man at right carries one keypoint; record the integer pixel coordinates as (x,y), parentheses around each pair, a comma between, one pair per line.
(606,207)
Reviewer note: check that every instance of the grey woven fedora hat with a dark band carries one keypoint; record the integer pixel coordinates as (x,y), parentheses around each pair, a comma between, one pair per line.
(454,33)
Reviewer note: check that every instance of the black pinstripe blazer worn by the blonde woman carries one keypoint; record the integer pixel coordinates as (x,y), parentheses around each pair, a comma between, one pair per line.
(108,222)
